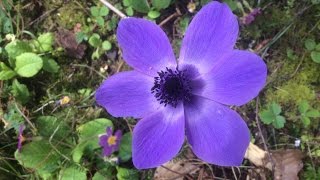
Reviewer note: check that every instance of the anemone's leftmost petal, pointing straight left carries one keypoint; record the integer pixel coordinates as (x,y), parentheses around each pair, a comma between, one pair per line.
(127,94)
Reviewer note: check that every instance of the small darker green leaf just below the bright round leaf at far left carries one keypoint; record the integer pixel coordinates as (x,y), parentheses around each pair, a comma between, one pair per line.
(20,92)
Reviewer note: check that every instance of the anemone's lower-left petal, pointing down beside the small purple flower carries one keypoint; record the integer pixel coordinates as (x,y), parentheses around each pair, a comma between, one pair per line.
(158,137)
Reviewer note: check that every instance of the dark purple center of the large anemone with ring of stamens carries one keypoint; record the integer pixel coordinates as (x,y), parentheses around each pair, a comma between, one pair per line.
(171,87)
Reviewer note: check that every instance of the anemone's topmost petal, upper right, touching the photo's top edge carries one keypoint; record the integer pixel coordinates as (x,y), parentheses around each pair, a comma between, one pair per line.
(212,32)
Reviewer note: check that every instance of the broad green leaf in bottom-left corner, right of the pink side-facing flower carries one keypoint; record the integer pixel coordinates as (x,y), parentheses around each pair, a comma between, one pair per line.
(39,156)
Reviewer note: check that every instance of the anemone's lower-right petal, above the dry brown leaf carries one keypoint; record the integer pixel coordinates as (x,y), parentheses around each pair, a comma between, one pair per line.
(217,134)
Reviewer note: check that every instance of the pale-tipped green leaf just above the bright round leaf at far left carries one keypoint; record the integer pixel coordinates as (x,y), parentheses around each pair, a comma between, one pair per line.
(16,48)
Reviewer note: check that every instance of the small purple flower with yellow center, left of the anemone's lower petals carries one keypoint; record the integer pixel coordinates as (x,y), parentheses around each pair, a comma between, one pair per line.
(109,142)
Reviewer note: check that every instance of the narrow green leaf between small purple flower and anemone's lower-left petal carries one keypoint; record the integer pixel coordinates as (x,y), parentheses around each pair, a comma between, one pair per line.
(125,147)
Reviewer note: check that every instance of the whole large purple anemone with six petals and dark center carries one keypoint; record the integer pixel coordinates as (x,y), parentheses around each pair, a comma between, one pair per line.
(189,96)
